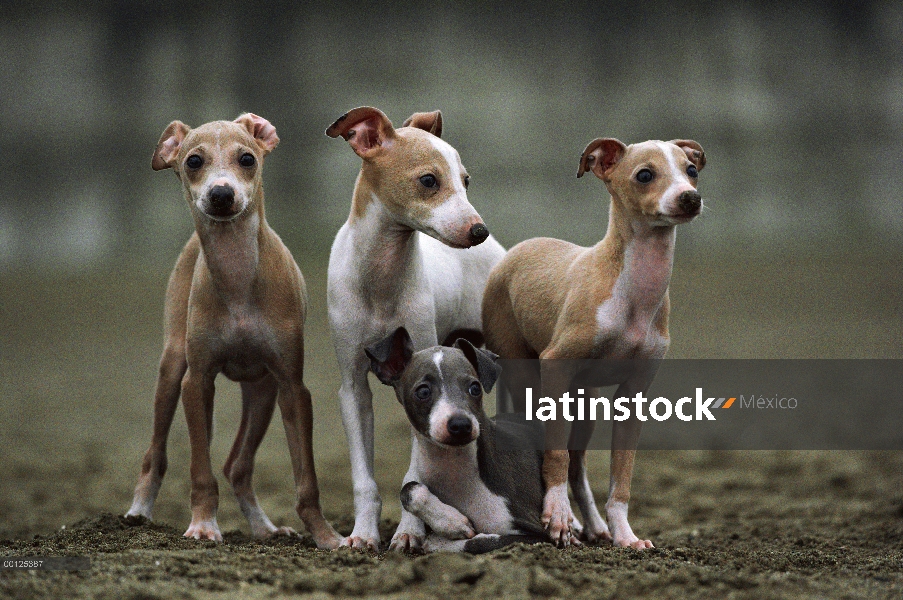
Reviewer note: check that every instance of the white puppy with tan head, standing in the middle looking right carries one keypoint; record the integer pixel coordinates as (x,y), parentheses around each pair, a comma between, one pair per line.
(414,253)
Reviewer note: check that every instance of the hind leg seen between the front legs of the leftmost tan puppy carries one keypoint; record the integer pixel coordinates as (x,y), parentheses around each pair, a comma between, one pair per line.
(258,400)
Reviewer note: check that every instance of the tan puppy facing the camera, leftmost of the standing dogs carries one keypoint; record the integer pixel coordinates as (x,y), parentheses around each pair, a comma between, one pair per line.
(235,305)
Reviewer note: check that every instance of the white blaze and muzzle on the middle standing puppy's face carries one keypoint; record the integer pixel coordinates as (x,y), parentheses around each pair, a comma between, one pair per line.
(451,221)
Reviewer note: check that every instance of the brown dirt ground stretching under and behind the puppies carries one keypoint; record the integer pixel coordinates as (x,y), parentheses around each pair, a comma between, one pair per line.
(78,358)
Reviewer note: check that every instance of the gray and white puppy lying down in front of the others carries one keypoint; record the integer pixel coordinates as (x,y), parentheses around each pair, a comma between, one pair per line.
(478,483)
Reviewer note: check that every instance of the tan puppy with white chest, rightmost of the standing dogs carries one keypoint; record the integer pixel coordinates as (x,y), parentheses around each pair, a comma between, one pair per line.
(554,300)
